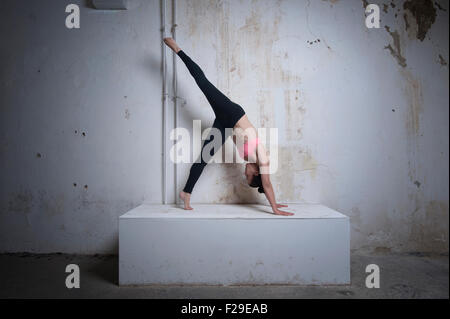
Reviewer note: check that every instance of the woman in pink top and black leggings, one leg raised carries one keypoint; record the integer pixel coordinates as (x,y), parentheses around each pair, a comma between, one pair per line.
(229,115)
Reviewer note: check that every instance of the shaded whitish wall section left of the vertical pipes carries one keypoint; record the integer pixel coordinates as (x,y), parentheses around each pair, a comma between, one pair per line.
(80,133)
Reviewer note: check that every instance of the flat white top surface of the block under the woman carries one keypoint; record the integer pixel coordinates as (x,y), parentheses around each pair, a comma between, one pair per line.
(242,211)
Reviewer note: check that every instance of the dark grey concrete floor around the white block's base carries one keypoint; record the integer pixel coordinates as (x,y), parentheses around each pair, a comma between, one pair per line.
(412,275)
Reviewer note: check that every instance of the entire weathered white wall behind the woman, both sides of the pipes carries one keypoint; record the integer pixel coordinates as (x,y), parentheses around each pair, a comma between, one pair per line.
(362,115)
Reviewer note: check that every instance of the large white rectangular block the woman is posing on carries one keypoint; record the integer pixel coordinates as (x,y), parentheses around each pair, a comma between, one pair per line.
(233,244)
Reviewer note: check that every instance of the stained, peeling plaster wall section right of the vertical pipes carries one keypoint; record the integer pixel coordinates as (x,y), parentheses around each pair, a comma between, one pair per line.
(362,113)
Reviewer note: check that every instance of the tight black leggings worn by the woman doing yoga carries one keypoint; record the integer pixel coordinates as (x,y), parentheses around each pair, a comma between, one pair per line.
(227,114)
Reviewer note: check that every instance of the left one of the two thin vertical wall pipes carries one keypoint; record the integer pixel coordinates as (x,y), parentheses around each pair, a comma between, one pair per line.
(164,124)
